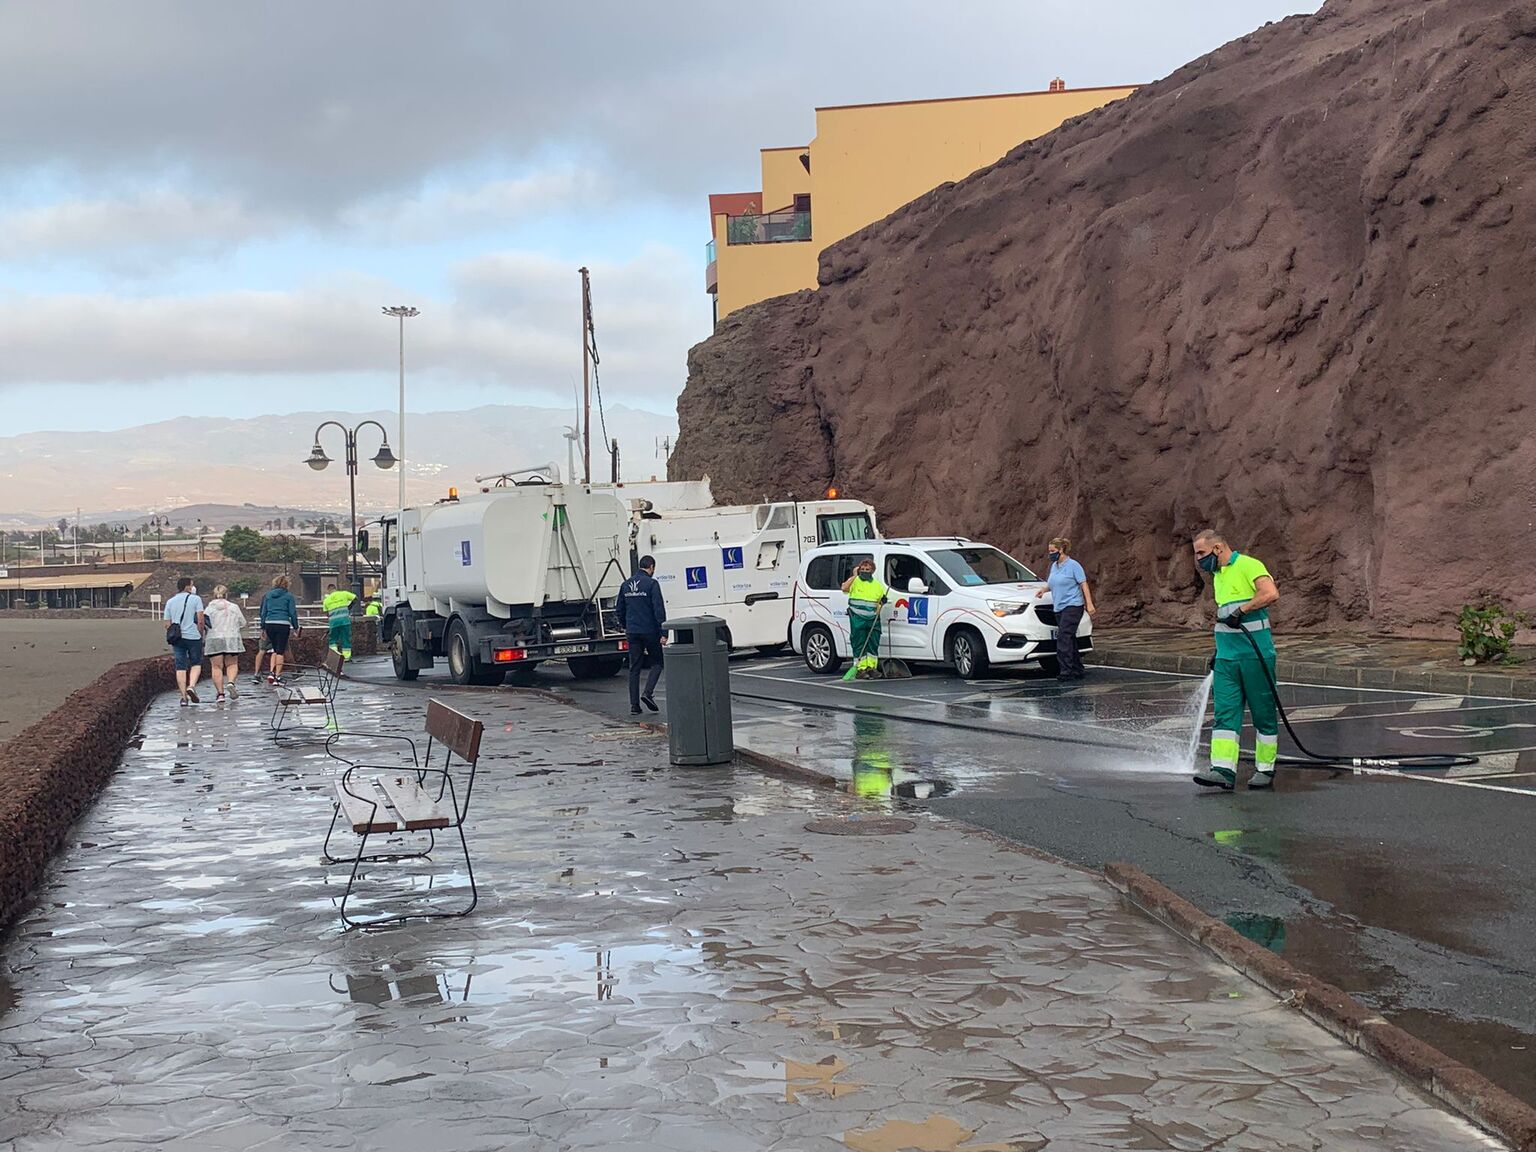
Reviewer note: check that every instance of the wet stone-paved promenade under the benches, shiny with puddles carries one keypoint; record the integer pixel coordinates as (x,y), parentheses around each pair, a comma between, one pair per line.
(663,959)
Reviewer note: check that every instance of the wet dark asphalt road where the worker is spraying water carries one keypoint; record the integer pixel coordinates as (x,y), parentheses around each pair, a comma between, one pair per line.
(1415,893)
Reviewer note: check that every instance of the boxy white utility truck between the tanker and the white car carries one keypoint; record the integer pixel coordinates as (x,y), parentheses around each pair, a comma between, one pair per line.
(740,563)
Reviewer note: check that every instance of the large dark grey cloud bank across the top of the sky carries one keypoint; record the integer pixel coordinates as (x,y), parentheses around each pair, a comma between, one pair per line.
(316,108)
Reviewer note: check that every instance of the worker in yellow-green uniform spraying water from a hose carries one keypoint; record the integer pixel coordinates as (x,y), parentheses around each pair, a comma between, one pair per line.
(1245,592)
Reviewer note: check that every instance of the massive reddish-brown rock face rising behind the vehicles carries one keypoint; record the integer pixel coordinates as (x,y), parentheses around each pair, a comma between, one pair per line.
(1286,291)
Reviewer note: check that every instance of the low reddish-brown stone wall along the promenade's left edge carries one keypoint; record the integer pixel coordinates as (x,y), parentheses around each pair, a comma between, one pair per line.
(51,772)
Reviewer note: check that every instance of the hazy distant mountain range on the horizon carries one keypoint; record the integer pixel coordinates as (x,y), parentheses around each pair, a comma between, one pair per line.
(207,460)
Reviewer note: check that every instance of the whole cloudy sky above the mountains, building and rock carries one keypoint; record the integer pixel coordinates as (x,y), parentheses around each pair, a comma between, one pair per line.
(205,205)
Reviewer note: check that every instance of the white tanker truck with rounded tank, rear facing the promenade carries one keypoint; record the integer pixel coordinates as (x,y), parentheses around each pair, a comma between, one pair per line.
(506,578)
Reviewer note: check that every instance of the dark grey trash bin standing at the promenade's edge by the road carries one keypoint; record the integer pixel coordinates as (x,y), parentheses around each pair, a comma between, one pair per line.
(700,692)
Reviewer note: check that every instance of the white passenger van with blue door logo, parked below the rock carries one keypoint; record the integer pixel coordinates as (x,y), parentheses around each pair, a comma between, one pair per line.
(953,601)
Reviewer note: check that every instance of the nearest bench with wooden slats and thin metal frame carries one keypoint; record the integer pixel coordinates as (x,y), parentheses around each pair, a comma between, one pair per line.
(406,801)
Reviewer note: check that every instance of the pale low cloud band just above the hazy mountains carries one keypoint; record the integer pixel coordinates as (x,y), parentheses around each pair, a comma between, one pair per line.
(512,320)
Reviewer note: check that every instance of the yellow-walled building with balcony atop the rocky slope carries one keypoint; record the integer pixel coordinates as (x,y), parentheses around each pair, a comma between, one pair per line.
(866,162)
